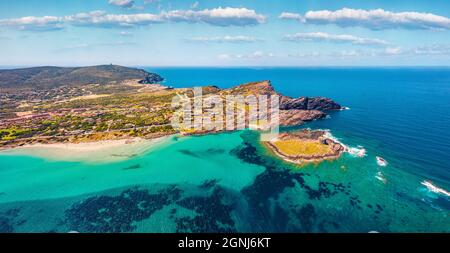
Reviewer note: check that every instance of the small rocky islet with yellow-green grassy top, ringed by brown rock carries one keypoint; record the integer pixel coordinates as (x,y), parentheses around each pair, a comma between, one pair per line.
(305,146)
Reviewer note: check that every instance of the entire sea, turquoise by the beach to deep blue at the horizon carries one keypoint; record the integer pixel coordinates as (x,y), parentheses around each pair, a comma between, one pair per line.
(228,182)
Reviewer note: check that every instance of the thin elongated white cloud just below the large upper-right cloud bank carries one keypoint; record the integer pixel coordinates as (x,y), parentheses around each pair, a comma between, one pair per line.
(335,38)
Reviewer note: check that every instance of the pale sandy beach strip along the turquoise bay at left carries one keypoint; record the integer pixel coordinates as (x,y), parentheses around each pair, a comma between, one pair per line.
(89,152)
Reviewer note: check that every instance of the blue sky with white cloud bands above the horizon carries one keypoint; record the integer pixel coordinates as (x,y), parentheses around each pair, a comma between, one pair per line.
(225,32)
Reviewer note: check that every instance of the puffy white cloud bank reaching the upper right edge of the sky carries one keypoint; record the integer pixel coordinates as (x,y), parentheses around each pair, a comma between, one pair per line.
(376,19)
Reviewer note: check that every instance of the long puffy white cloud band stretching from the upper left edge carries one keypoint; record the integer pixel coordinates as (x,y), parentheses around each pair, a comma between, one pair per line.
(219,17)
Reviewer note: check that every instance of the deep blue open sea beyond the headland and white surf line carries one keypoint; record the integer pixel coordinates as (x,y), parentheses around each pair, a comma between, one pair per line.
(405,111)
